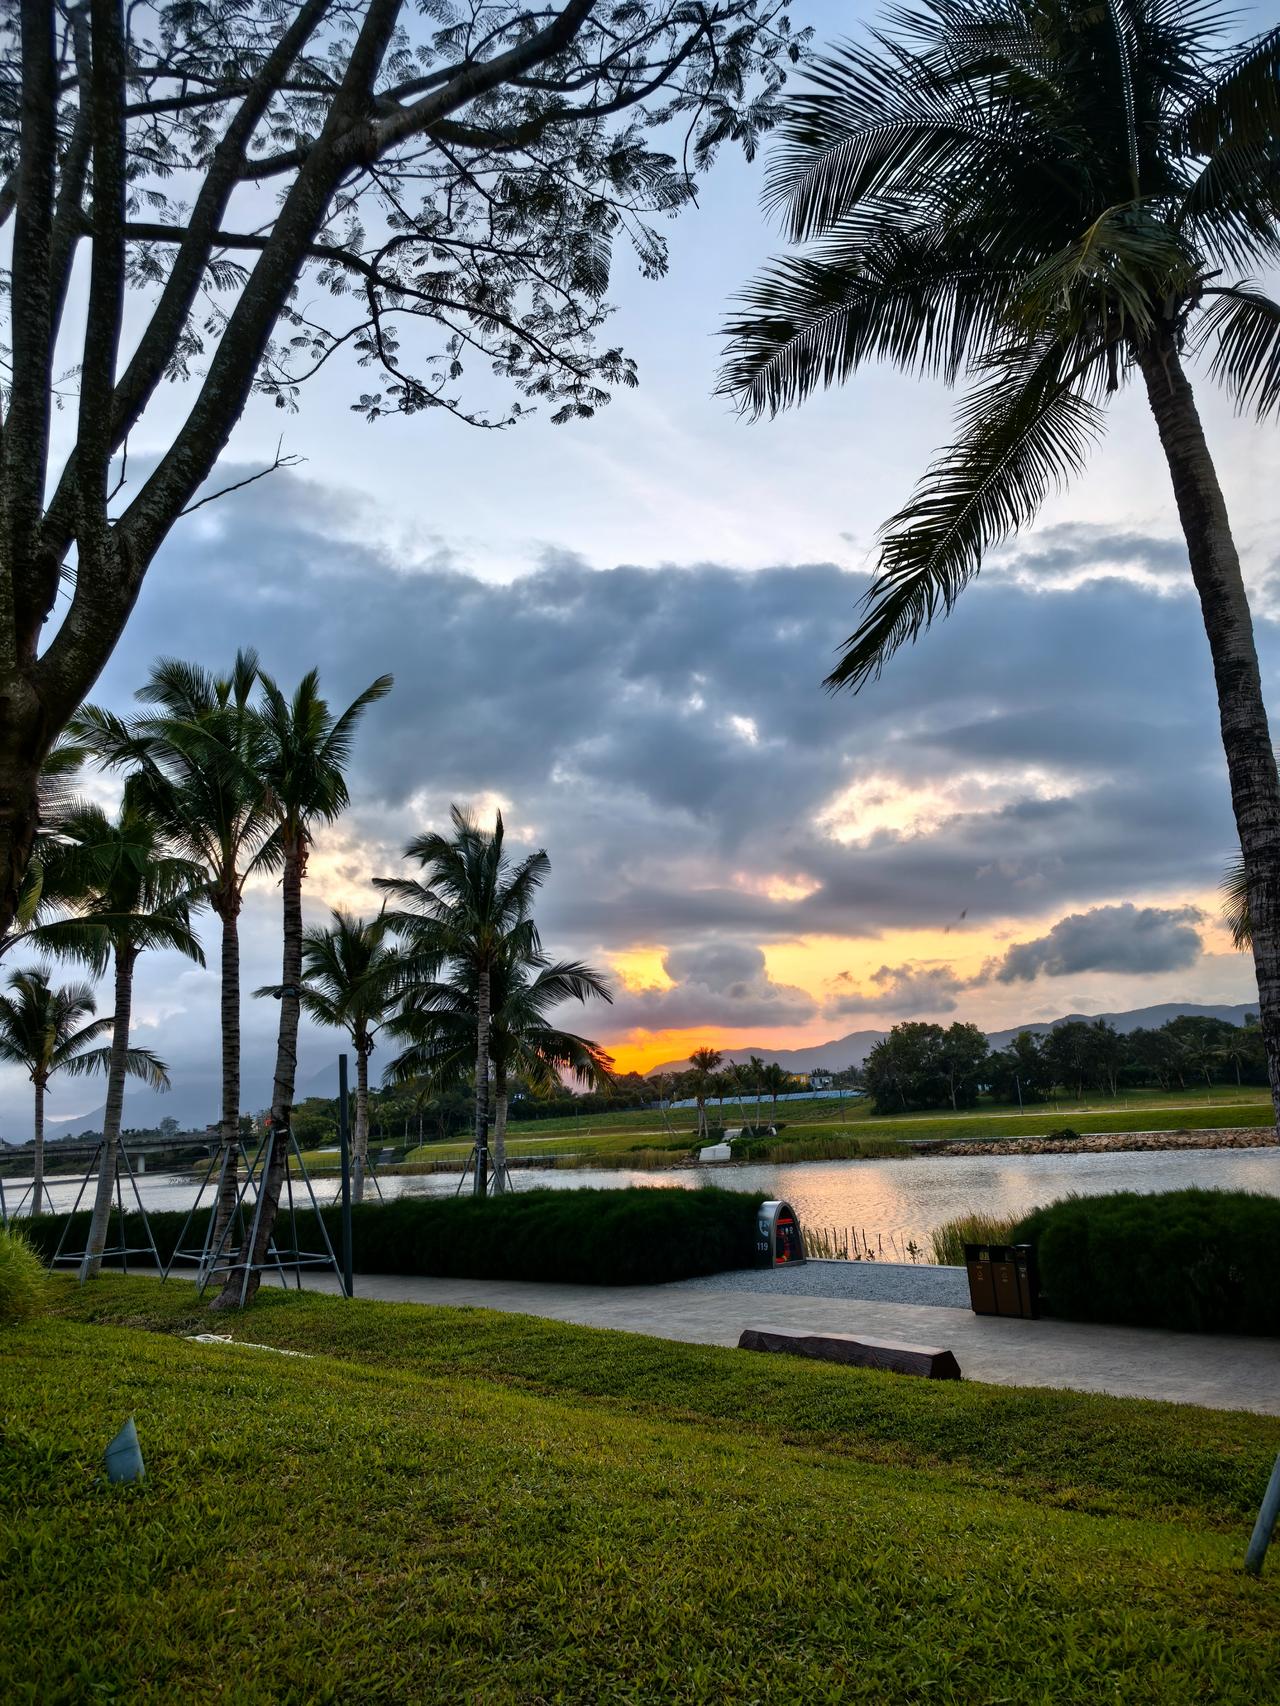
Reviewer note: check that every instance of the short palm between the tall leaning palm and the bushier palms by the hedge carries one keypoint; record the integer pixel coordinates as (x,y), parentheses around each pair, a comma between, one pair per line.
(349,984)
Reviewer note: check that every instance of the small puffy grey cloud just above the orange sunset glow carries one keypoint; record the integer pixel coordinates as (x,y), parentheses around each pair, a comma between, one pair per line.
(714,984)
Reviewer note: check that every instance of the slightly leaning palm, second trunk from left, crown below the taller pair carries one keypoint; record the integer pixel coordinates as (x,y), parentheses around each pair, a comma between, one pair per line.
(132,895)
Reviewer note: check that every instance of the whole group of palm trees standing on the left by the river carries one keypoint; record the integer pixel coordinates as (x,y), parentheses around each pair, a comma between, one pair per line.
(226,777)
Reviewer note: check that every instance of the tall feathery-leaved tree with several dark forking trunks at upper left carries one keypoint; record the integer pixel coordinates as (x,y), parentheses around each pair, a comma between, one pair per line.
(453,171)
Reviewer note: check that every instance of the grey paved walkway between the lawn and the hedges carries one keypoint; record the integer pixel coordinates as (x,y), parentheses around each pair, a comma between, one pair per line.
(1127,1362)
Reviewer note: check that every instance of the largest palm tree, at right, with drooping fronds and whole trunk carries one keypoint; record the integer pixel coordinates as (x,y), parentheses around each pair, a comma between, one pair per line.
(1052,199)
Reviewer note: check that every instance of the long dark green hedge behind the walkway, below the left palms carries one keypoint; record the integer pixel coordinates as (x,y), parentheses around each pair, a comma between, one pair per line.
(639,1236)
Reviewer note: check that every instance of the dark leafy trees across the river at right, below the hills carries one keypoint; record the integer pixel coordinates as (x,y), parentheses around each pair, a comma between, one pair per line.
(928,1067)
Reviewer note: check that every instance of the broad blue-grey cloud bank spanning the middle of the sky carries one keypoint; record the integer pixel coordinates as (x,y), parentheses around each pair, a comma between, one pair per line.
(665,734)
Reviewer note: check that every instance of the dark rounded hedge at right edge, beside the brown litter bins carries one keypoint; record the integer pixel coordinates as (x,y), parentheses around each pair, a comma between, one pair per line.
(1197,1262)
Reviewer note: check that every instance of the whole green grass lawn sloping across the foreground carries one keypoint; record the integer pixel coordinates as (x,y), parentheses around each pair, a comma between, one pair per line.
(451,1506)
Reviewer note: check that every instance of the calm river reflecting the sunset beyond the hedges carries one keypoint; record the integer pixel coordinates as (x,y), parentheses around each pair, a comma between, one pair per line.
(890,1200)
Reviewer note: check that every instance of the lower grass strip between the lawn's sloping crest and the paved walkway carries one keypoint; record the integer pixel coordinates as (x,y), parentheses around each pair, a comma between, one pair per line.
(1061,1449)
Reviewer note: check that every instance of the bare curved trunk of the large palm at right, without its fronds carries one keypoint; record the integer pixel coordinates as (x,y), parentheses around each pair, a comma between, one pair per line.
(1247,740)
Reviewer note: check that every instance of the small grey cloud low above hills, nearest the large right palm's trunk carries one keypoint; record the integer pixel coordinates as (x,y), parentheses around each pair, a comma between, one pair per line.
(1126,939)
